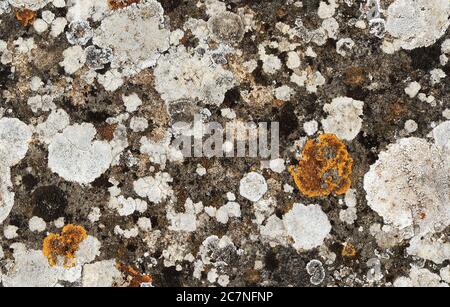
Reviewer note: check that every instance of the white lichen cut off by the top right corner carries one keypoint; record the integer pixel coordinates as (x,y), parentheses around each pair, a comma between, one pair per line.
(417,23)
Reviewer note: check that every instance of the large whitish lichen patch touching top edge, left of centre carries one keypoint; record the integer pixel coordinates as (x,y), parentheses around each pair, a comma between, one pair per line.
(136,35)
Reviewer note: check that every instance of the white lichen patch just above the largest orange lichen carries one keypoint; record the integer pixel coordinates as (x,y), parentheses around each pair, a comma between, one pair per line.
(344,119)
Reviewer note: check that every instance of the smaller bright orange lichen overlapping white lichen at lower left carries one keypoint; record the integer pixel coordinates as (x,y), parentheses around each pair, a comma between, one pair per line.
(64,245)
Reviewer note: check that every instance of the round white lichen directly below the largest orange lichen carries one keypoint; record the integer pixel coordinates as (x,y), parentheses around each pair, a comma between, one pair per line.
(307,225)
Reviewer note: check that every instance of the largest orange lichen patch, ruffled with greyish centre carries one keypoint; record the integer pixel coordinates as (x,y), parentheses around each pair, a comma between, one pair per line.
(325,169)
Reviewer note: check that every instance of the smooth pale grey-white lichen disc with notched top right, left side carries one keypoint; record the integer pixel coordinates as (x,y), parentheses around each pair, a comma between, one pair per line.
(74,156)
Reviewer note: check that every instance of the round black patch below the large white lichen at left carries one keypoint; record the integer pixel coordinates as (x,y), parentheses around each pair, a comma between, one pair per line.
(49,203)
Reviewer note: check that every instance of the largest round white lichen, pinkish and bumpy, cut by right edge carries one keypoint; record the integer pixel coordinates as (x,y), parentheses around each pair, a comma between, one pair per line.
(409,186)
